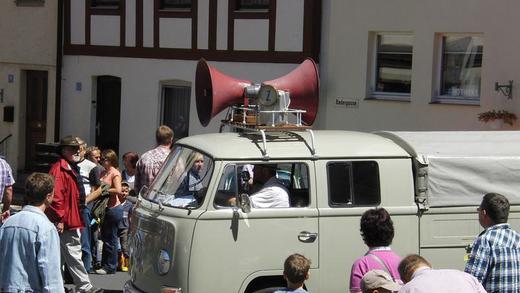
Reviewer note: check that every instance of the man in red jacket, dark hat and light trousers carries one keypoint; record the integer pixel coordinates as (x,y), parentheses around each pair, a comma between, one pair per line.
(65,211)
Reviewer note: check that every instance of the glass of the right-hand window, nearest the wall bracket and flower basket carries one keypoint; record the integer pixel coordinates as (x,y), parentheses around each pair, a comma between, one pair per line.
(461,65)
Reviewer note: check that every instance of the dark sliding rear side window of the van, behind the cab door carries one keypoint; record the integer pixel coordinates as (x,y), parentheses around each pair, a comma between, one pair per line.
(354,183)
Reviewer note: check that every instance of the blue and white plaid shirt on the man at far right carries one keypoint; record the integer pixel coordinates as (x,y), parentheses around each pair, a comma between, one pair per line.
(495,259)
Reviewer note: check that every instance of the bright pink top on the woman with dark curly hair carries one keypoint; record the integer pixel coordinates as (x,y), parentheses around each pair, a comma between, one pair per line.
(366,263)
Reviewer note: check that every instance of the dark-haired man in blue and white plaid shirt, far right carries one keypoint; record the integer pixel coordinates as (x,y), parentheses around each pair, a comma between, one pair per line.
(495,256)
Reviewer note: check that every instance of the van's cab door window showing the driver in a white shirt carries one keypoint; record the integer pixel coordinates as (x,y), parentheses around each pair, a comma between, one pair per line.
(268,185)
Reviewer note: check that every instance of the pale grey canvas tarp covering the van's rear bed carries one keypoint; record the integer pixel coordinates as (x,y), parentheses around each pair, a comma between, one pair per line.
(465,165)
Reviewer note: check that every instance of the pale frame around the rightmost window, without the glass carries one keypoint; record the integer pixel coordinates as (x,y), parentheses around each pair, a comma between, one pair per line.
(437,97)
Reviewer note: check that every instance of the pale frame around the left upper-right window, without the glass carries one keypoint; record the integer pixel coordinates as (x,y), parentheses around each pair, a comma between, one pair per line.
(377,95)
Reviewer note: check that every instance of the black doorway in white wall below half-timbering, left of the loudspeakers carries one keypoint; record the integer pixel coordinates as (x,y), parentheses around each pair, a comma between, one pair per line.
(108,112)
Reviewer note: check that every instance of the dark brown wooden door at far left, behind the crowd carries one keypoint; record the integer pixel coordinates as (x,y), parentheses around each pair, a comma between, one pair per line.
(36,114)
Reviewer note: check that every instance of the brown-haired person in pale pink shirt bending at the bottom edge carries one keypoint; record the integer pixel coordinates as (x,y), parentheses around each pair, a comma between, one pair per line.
(419,277)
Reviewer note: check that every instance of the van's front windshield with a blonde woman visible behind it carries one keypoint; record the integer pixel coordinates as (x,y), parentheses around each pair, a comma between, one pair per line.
(183,180)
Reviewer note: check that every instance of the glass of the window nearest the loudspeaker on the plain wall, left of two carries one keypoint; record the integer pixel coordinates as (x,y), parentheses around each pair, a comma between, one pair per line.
(393,65)
